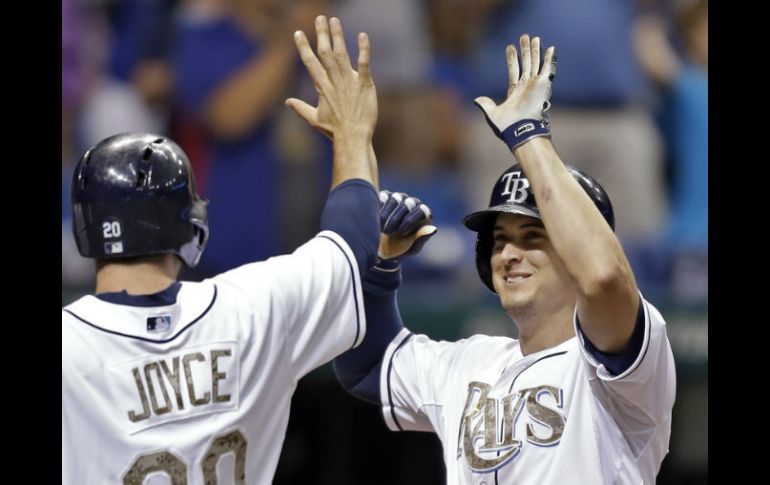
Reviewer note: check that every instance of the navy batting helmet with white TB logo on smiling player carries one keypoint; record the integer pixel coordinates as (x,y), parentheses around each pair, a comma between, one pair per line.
(513,194)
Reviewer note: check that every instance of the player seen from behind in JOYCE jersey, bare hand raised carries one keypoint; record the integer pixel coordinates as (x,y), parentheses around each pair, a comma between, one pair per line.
(167,382)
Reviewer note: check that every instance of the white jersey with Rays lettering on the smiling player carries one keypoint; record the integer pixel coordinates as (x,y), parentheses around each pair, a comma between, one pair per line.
(553,417)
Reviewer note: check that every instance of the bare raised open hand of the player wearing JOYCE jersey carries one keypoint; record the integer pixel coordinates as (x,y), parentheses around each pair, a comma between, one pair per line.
(347,99)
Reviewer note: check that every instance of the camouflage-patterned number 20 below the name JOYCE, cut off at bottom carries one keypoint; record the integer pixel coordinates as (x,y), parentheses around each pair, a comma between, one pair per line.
(176,469)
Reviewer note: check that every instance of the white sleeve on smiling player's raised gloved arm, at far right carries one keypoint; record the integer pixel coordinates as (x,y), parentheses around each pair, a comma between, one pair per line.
(642,396)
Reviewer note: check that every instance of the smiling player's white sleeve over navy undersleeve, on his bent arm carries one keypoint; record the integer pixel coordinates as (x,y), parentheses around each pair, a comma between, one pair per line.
(414,371)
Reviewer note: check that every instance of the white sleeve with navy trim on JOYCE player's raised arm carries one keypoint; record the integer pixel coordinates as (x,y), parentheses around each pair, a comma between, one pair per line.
(315,299)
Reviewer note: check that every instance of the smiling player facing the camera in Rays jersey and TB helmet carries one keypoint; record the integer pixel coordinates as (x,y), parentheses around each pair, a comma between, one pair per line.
(585,394)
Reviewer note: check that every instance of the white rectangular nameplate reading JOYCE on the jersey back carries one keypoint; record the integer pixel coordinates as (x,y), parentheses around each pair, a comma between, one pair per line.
(196,381)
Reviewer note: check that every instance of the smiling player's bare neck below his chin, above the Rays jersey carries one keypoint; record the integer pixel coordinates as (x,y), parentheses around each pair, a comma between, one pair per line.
(540,332)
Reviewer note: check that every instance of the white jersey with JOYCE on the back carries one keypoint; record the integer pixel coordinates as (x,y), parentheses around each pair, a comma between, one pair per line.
(199,391)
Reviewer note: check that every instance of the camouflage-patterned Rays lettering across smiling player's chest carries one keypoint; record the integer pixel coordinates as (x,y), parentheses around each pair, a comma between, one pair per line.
(487,436)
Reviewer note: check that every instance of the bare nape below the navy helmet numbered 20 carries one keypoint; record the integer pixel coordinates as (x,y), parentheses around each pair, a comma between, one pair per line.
(137,276)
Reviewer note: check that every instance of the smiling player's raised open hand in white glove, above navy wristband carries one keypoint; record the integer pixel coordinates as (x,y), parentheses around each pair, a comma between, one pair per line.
(529,87)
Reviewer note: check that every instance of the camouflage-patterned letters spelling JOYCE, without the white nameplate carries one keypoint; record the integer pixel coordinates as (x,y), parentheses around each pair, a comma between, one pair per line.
(151,384)
